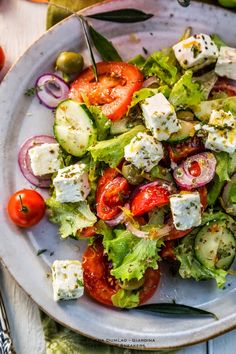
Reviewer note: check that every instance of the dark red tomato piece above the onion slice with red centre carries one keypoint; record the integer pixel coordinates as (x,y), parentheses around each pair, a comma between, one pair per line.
(186,148)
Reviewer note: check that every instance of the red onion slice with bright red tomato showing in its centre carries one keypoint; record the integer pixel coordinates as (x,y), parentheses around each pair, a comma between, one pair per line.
(207,163)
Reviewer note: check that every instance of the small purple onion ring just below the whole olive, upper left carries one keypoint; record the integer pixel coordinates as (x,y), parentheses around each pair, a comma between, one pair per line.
(51,90)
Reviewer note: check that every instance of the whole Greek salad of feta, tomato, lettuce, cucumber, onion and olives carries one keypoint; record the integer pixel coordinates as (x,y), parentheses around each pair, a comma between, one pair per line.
(142,164)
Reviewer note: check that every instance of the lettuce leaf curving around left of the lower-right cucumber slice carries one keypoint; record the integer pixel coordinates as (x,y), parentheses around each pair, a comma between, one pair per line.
(190,267)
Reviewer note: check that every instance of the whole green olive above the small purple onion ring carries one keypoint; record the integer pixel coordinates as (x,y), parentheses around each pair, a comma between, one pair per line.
(70,62)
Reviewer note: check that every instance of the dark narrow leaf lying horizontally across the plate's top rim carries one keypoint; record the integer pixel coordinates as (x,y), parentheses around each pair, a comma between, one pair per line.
(122,16)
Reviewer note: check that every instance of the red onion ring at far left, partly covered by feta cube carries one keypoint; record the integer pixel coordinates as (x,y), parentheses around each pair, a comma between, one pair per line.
(24,160)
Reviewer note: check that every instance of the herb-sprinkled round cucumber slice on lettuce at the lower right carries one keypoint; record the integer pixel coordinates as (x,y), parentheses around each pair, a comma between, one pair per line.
(215,246)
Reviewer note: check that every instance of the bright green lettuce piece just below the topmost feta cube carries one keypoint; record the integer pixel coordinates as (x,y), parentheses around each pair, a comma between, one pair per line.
(186,92)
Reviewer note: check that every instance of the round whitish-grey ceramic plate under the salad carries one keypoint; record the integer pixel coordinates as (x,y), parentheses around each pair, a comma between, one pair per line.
(22,117)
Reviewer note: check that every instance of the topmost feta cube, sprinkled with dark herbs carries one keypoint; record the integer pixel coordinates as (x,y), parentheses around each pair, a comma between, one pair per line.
(196,52)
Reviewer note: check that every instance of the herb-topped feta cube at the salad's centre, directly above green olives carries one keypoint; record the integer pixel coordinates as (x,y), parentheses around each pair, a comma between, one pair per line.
(144,152)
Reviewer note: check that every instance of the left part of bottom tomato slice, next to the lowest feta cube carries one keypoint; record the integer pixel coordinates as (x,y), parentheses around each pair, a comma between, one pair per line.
(98,281)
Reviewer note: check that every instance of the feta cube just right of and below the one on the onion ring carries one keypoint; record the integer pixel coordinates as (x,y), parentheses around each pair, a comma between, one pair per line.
(72,184)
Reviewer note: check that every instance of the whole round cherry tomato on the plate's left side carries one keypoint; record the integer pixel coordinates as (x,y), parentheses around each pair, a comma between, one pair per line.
(26,207)
